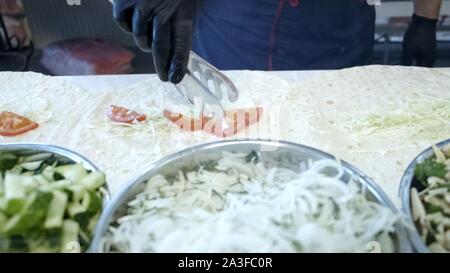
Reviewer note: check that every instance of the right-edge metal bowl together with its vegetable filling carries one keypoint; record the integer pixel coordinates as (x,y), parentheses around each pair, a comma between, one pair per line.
(425,197)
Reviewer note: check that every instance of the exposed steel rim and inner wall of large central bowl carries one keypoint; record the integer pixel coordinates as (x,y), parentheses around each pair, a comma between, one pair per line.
(289,155)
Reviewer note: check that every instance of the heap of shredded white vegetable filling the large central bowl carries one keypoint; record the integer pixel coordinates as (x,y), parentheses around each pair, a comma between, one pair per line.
(239,206)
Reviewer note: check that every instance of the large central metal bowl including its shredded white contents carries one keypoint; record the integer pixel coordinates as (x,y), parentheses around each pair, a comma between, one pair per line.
(251,196)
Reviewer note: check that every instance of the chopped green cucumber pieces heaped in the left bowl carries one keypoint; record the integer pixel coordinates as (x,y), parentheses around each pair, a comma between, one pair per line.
(47,204)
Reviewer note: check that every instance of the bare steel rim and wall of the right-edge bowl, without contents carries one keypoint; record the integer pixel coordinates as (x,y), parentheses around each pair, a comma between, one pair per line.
(408,181)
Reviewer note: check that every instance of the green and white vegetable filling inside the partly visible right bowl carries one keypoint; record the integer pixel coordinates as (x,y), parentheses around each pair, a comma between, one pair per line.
(430,202)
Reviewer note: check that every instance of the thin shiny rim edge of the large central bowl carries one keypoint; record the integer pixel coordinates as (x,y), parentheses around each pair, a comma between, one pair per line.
(116,202)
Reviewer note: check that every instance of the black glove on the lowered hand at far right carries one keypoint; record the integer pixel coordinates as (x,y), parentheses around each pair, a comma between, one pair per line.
(419,43)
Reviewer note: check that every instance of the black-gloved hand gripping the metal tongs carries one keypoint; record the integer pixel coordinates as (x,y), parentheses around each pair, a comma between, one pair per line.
(163,27)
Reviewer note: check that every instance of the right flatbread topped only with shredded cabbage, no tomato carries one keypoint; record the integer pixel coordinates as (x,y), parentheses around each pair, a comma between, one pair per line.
(323,112)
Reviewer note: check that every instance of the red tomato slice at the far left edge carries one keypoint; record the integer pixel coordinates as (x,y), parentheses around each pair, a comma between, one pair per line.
(12,124)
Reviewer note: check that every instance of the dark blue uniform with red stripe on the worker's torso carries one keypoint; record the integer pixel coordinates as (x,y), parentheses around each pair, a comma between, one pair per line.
(285,34)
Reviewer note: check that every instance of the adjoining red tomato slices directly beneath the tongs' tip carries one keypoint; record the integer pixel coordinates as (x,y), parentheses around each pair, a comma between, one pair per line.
(233,122)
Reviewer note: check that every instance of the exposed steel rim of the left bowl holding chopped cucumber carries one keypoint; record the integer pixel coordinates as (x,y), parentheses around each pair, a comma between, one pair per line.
(65,155)
